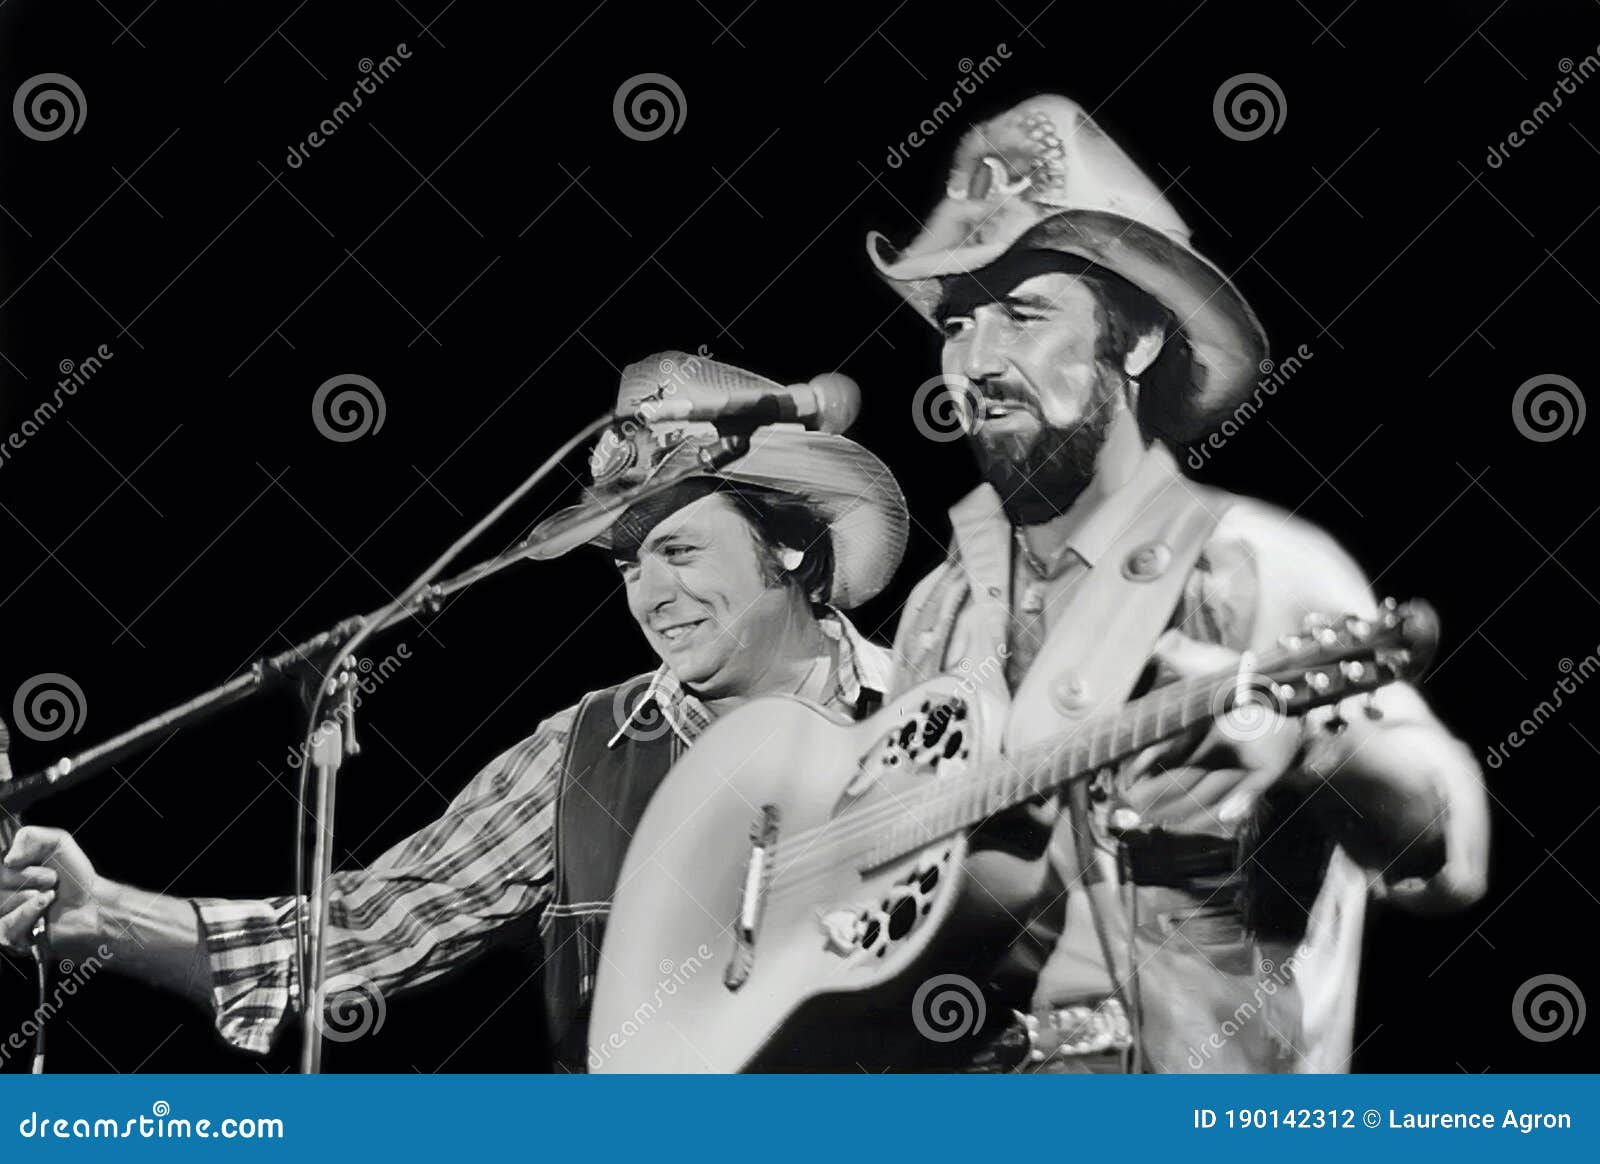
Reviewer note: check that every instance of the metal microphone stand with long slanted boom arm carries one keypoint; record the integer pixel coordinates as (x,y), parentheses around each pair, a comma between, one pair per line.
(330,735)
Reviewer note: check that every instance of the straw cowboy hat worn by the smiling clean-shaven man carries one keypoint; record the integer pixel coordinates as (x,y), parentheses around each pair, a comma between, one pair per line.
(846,485)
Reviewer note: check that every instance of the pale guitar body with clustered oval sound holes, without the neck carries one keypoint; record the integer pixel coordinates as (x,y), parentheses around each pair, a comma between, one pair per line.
(828,975)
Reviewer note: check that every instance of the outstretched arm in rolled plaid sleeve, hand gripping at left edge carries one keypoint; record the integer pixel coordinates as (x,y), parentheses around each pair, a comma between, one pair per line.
(423,909)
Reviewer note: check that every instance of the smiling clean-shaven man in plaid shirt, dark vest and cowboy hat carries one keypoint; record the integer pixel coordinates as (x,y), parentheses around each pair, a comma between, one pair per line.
(738,584)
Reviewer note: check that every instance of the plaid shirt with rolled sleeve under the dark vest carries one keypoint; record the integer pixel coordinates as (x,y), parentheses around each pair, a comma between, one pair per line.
(436,901)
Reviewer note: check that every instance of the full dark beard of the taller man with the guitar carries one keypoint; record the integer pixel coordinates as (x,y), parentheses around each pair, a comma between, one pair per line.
(1039,476)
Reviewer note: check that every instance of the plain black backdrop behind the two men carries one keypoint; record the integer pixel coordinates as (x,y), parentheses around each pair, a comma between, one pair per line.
(182,514)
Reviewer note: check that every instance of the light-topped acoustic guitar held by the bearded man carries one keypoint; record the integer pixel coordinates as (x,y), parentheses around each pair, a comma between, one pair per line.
(798,883)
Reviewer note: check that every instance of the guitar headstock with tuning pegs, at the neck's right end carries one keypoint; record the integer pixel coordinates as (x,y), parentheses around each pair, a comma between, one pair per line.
(1337,658)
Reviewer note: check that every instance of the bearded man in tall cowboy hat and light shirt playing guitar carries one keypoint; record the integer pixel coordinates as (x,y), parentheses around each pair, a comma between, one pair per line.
(1202,906)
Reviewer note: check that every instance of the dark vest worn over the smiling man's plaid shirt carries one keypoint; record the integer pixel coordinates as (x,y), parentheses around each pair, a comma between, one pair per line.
(604,794)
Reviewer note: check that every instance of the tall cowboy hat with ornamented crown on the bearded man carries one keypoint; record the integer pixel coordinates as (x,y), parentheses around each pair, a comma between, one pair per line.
(1044,177)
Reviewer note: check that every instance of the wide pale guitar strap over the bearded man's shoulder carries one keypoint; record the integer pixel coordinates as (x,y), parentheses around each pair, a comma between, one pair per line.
(1097,650)
